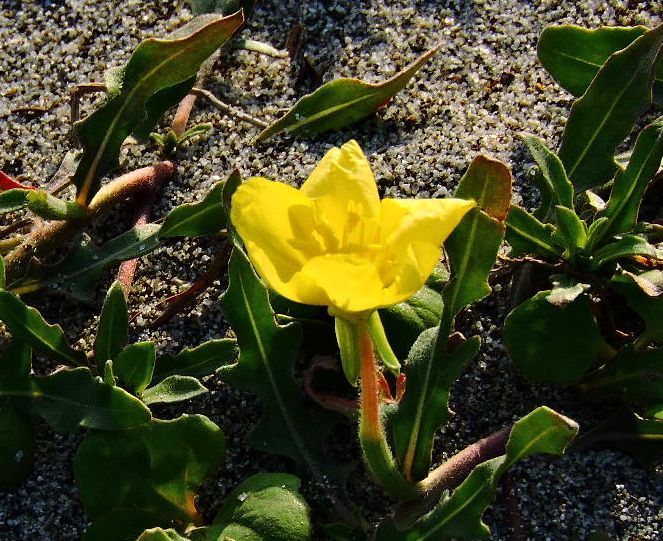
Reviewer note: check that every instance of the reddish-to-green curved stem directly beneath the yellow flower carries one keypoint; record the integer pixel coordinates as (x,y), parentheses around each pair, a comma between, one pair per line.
(372,438)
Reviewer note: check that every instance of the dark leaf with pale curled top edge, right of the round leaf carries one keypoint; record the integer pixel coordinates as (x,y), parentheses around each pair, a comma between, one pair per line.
(650,308)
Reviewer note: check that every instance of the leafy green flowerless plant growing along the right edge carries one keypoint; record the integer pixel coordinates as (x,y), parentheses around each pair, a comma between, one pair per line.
(599,326)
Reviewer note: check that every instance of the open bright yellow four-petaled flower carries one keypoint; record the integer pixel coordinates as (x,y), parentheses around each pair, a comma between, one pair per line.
(335,243)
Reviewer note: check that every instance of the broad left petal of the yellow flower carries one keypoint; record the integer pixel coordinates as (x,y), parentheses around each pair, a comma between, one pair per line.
(271,217)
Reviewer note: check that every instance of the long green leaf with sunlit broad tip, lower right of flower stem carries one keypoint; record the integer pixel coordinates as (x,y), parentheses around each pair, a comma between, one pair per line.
(459,515)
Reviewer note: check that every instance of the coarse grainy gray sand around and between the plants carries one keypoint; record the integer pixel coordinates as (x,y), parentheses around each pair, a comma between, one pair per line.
(475,96)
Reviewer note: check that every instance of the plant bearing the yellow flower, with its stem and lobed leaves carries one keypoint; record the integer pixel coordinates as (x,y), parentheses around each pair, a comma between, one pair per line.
(301,242)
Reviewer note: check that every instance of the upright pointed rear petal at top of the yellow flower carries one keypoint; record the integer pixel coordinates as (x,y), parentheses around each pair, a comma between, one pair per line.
(342,186)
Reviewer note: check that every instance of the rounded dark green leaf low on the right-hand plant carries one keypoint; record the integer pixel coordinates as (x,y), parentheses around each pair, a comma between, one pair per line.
(552,344)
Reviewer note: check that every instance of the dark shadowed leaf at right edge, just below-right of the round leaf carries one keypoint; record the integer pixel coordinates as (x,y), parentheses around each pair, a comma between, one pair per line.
(633,376)
